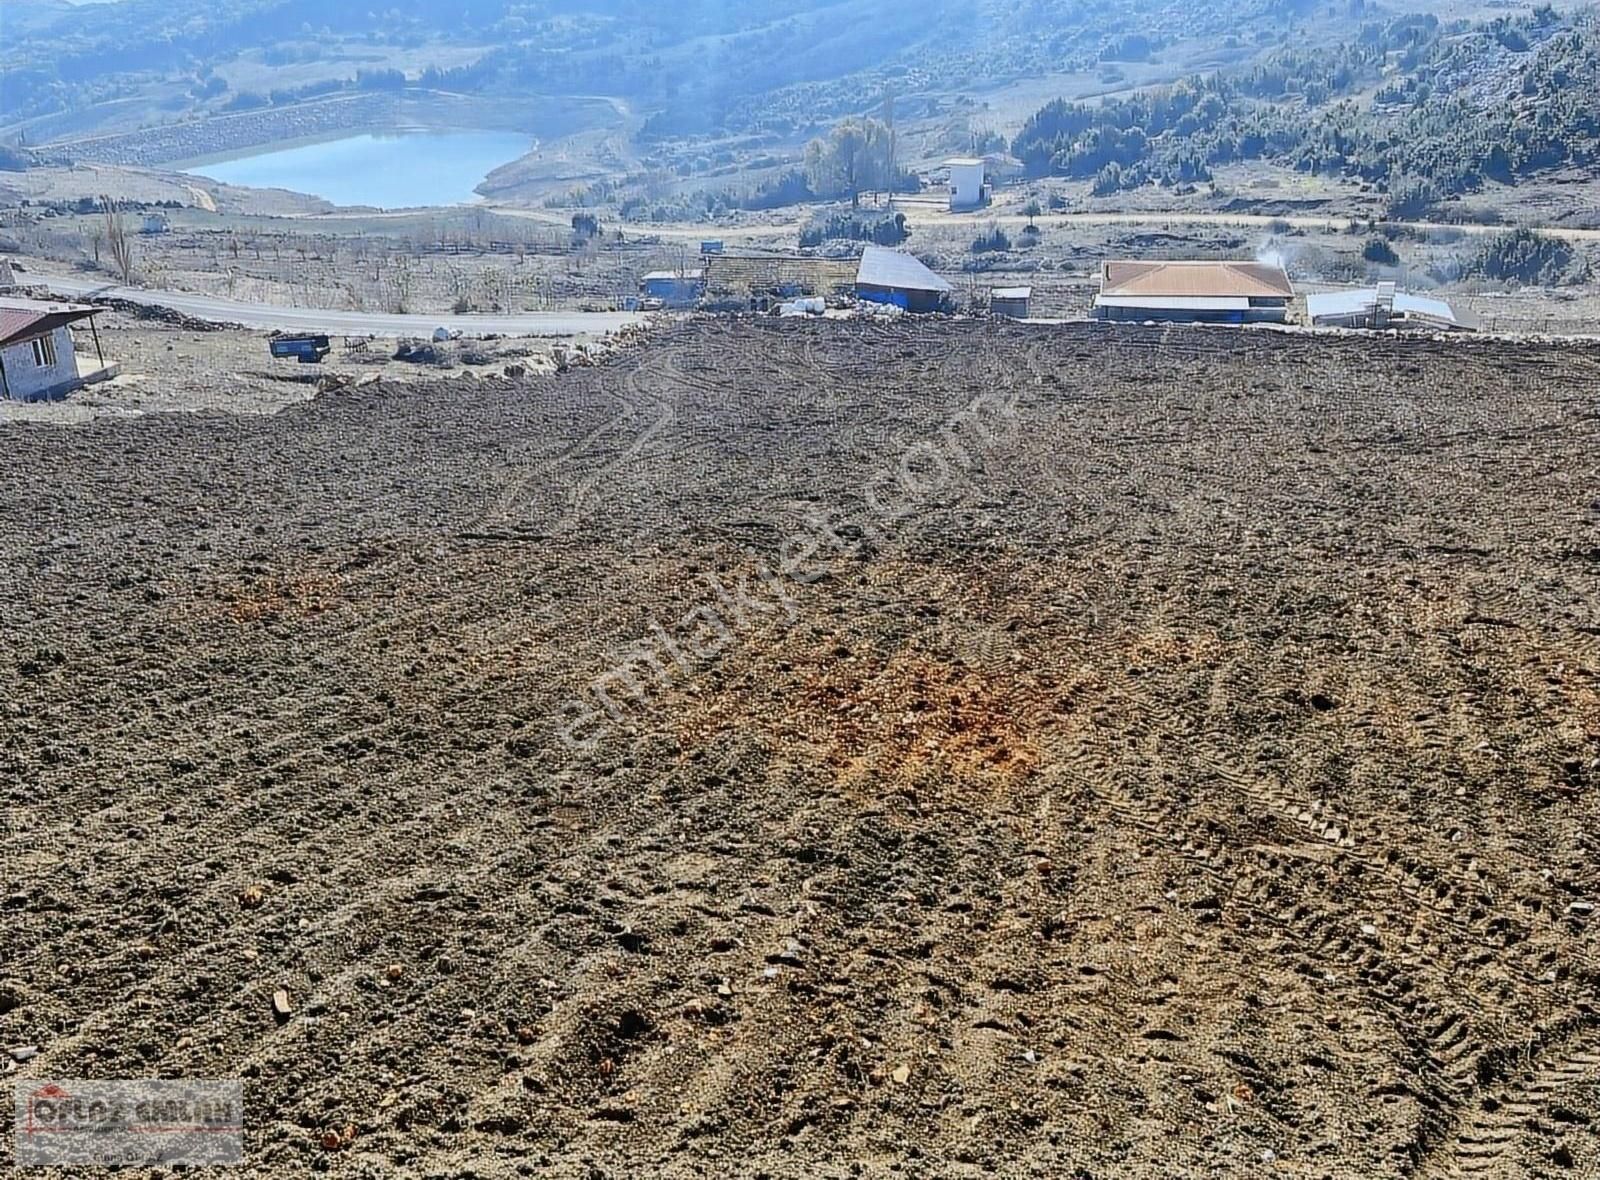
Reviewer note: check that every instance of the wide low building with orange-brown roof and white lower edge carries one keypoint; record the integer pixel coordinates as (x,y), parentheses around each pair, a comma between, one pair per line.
(1194,292)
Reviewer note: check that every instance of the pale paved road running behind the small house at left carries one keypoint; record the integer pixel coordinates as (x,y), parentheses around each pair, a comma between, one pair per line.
(342,324)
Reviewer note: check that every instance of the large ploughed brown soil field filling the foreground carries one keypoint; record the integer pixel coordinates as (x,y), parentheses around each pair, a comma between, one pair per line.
(825,751)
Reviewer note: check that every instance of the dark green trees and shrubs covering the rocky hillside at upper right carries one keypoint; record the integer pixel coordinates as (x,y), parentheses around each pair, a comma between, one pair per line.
(1458,119)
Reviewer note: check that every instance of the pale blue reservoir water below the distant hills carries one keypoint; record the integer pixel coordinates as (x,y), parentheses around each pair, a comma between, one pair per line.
(391,172)
